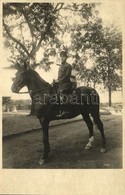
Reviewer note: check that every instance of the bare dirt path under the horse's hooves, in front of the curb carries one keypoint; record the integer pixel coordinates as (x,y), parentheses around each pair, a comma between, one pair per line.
(67,142)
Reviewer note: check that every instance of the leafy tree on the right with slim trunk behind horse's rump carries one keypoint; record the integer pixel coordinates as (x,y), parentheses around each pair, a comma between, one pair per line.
(103,45)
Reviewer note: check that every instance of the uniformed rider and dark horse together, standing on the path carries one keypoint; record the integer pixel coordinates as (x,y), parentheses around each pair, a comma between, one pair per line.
(28,77)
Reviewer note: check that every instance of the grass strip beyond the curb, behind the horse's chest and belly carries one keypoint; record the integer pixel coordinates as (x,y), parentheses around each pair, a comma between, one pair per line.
(18,122)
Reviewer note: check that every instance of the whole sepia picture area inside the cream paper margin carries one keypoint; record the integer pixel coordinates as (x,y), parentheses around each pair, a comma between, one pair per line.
(62,86)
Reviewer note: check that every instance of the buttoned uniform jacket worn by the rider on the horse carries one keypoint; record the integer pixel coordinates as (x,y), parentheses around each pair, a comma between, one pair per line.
(64,75)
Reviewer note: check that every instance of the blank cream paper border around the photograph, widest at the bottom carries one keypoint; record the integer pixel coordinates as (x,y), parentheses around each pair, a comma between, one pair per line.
(69,181)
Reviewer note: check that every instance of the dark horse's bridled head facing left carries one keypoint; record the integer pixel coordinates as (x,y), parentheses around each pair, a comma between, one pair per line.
(20,79)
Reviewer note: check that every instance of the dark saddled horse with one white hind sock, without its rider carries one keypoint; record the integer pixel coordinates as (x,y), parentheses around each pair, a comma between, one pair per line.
(83,101)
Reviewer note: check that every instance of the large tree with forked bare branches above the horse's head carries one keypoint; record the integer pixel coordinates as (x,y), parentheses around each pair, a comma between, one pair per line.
(29,27)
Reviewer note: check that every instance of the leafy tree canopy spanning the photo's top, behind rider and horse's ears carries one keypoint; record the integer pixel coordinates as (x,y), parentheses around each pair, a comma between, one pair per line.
(45,25)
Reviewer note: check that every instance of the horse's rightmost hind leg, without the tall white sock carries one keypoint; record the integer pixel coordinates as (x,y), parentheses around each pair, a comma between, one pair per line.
(99,124)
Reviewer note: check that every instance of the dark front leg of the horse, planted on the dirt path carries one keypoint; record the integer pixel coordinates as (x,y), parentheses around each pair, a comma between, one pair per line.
(45,127)
